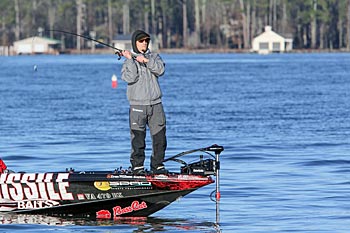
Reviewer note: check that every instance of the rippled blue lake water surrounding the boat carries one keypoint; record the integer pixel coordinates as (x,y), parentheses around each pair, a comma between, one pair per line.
(283,120)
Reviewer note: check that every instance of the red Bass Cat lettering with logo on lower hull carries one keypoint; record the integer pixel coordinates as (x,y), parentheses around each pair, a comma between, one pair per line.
(118,210)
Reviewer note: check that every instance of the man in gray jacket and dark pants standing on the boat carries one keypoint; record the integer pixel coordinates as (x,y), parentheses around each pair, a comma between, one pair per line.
(141,70)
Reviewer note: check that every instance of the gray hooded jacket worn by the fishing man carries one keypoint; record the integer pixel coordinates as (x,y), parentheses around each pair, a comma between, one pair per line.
(143,87)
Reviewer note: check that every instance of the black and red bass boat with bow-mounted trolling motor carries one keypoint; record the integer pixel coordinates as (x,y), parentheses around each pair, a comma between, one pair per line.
(106,194)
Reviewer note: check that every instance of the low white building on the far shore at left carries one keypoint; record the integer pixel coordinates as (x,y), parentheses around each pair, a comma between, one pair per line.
(36,45)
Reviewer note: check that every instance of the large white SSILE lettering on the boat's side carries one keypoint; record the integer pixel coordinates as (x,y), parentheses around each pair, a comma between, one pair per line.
(34,186)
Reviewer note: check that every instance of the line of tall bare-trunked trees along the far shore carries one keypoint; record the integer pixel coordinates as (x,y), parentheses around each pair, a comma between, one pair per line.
(221,24)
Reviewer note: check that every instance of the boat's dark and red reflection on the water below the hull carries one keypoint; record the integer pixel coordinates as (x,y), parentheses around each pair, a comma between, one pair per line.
(150,224)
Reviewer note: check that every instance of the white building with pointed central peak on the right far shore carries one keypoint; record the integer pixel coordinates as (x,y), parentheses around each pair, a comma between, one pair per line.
(269,42)
